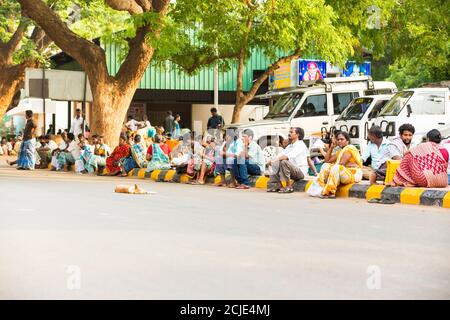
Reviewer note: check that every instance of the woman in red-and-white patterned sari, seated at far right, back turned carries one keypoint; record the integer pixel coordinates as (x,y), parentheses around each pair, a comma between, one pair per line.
(424,165)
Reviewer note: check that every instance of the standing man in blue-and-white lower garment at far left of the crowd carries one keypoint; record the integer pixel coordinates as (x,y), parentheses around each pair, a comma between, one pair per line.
(27,155)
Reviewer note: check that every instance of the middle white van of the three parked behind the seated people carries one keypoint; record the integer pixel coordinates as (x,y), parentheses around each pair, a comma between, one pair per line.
(359,116)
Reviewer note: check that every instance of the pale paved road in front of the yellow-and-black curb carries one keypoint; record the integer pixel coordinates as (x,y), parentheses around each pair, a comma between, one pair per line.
(69,236)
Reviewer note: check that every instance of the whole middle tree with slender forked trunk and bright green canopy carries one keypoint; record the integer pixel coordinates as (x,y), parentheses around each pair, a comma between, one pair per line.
(227,31)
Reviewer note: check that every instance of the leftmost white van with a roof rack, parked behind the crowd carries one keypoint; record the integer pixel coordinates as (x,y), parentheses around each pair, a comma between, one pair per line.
(313,106)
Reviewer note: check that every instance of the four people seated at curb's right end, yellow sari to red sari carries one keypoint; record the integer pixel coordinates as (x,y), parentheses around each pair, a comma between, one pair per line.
(422,165)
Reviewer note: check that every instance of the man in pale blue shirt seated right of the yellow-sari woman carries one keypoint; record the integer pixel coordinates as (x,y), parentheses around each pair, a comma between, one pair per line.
(379,150)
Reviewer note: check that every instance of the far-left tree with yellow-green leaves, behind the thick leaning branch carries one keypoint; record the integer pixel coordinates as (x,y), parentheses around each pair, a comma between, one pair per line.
(24,44)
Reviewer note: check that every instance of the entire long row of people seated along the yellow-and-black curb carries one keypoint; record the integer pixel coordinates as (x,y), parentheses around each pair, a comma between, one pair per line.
(211,154)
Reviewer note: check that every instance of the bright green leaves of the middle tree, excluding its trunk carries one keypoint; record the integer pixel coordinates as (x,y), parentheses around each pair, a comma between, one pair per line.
(227,28)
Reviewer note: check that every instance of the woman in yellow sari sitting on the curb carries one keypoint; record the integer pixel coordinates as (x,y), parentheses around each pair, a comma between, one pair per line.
(347,168)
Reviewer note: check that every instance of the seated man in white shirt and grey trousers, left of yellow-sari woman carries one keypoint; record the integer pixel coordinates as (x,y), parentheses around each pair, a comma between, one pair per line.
(292,163)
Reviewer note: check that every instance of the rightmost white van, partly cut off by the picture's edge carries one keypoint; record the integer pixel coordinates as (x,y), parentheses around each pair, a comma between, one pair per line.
(424,108)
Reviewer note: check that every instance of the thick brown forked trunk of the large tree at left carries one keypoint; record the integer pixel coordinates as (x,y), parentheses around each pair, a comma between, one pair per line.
(111,94)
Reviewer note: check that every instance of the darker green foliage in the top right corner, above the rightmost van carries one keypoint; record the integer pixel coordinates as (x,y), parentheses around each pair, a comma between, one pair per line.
(419,43)
